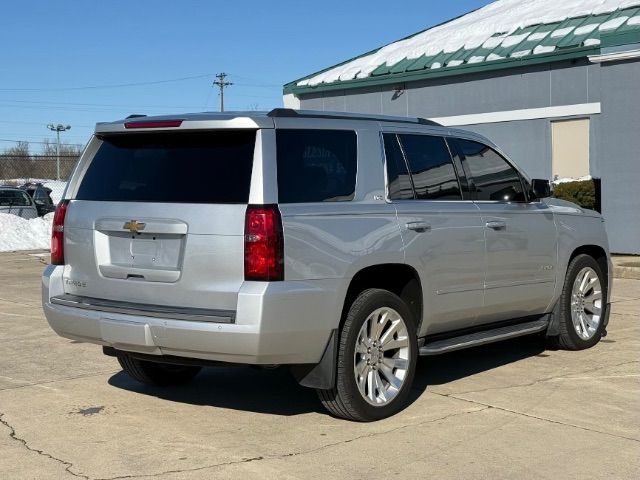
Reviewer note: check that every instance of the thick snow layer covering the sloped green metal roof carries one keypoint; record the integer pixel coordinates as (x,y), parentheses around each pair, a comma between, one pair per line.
(497,25)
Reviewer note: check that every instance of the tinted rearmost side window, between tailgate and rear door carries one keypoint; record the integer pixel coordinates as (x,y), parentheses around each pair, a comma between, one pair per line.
(316,165)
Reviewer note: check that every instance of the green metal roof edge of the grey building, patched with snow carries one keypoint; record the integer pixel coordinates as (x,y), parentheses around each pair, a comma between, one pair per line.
(569,39)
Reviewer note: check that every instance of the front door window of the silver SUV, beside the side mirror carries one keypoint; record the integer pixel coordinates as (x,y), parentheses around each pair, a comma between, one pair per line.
(492,176)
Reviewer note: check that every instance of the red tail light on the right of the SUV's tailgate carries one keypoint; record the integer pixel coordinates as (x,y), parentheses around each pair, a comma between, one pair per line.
(263,244)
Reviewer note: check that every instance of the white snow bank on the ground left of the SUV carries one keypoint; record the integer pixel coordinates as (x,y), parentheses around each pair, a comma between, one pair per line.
(16,233)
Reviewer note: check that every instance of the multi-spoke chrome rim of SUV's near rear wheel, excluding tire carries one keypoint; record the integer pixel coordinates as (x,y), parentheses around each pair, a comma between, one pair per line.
(381,357)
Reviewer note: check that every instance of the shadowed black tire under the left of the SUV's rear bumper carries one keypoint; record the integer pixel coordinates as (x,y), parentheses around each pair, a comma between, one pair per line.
(156,373)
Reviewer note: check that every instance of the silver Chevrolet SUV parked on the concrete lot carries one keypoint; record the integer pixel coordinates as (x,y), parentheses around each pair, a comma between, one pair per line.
(341,245)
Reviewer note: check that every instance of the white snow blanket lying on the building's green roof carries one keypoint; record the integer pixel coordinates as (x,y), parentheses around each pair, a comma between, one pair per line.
(473,30)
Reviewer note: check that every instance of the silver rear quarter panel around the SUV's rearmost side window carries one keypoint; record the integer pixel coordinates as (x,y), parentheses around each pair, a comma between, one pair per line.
(335,240)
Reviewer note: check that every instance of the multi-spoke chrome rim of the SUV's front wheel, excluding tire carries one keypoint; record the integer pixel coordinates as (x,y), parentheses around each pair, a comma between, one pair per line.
(586,303)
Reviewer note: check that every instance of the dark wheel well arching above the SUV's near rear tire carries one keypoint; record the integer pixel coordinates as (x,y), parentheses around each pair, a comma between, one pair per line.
(400,279)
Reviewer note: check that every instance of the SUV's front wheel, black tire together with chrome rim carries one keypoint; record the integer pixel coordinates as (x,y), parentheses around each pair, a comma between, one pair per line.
(574,334)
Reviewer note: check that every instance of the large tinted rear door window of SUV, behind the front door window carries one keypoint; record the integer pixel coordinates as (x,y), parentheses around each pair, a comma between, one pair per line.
(434,176)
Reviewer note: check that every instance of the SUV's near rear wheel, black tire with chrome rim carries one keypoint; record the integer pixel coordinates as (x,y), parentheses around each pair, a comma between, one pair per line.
(352,398)
